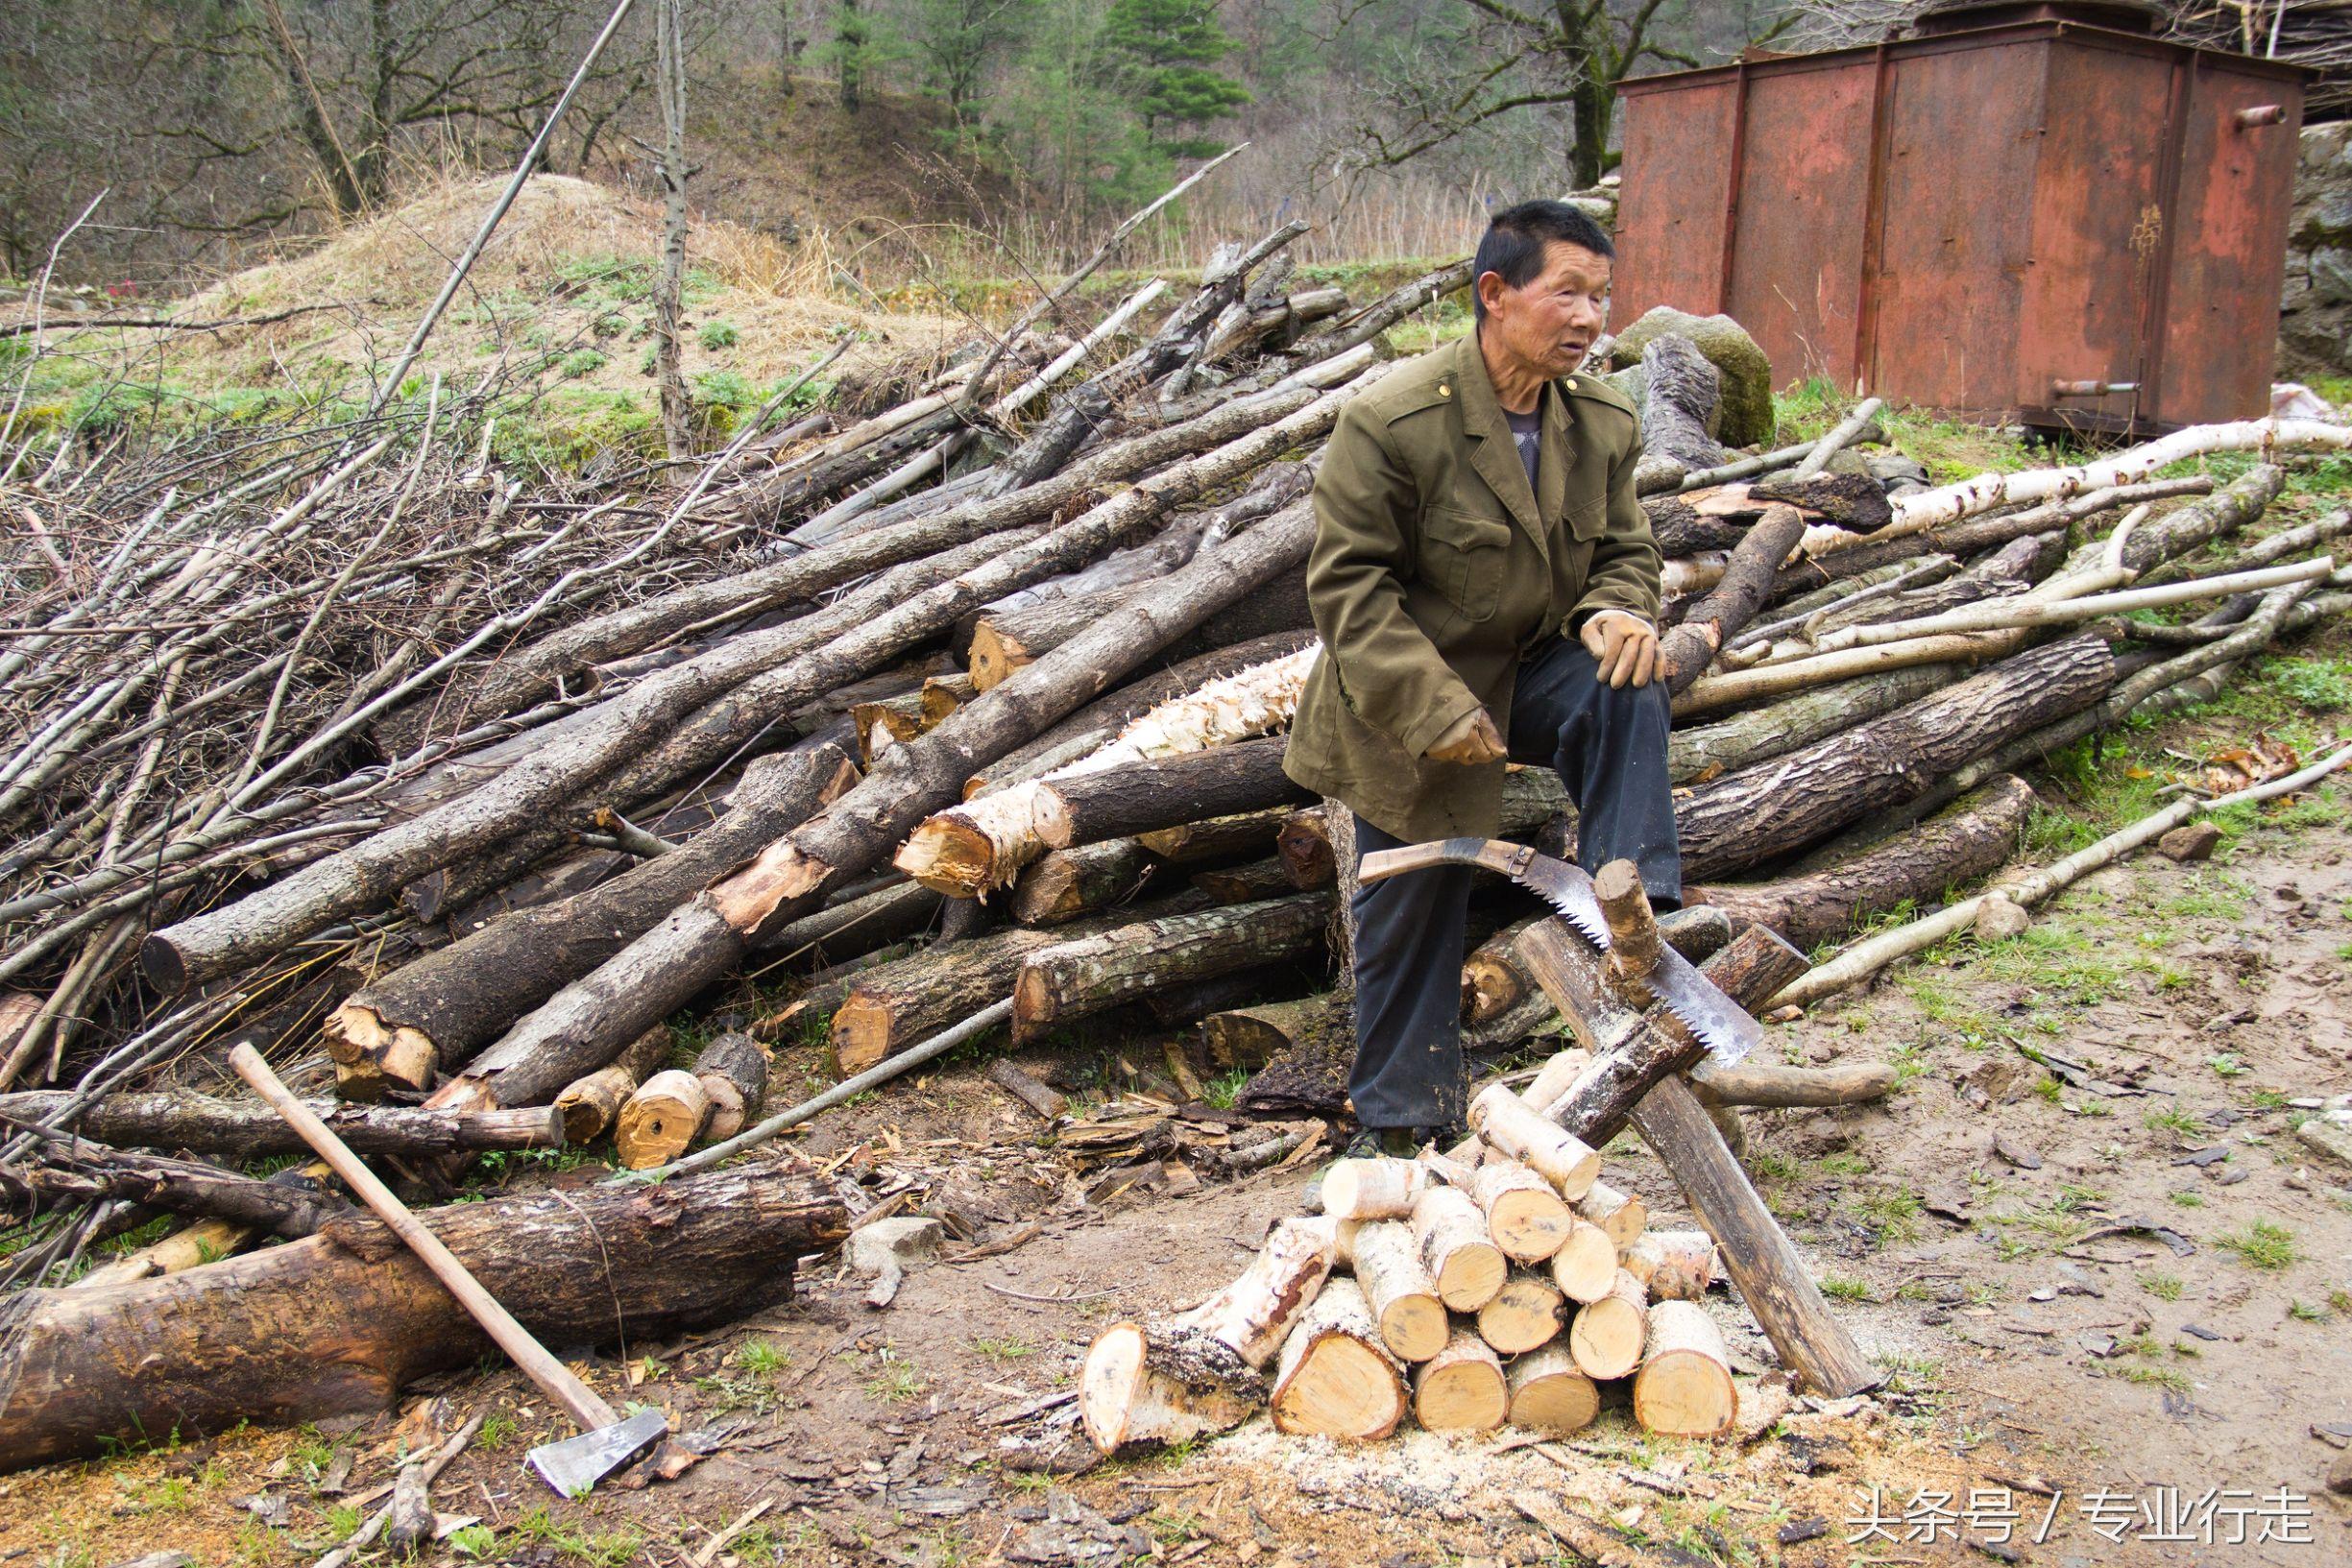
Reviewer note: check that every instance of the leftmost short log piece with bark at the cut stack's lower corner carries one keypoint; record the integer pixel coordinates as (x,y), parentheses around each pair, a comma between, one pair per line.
(1147,1388)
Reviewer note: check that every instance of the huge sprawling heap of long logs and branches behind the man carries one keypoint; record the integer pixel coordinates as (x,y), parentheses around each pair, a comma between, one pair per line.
(450,791)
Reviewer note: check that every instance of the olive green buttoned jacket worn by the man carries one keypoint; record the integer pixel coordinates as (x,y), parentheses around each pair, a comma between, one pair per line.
(1436,572)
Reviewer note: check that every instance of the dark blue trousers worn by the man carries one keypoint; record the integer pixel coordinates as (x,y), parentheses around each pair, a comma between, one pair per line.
(1608,744)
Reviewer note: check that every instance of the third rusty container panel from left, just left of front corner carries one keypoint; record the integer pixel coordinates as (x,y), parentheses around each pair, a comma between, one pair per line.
(1963,145)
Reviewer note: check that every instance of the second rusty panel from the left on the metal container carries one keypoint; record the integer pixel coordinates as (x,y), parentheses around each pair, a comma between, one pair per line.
(1798,236)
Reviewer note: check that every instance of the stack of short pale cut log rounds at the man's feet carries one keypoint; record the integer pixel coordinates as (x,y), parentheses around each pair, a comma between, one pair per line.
(1502,1282)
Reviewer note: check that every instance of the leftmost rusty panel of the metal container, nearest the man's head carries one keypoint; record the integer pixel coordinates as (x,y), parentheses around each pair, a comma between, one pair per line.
(1673,225)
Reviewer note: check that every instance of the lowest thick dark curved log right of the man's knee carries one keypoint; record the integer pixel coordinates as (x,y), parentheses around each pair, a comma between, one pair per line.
(1965,843)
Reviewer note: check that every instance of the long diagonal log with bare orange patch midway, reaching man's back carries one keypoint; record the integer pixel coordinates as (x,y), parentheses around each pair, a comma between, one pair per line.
(587,1024)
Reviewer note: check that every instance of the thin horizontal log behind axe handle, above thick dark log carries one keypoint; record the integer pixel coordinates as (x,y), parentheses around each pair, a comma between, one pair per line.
(248,1130)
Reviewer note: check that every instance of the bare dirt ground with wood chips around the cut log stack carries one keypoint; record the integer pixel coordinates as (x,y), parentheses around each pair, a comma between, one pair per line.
(2111,1292)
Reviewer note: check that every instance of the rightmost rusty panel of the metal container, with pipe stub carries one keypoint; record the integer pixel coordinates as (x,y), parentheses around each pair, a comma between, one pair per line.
(2229,246)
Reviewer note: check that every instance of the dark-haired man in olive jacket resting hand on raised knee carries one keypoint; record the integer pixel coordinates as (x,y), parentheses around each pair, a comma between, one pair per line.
(1485,587)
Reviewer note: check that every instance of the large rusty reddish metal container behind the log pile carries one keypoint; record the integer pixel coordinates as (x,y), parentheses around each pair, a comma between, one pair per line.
(2014,217)
